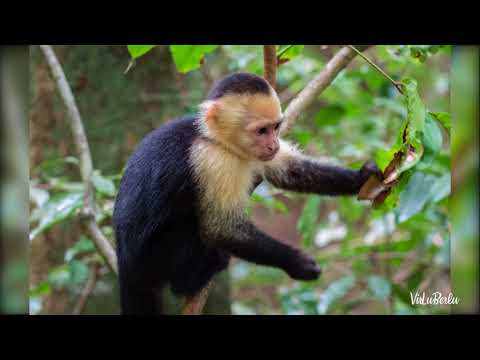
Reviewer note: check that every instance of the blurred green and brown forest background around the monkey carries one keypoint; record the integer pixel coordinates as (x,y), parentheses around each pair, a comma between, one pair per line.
(371,258)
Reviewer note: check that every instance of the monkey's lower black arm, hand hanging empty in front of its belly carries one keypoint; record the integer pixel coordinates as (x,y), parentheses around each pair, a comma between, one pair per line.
(247,242)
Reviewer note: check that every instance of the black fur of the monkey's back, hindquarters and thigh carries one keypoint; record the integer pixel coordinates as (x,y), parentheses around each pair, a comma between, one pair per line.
(155,222)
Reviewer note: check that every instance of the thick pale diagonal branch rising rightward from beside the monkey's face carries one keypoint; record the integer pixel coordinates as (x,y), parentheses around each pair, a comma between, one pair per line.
(317,85)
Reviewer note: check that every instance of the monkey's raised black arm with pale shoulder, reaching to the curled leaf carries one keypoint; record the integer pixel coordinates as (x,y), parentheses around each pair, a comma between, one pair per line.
(297,172)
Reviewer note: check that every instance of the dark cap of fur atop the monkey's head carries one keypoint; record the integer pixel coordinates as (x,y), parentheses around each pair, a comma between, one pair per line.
(239,83)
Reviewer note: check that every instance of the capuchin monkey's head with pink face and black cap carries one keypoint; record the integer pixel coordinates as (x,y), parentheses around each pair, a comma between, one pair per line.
(243,114)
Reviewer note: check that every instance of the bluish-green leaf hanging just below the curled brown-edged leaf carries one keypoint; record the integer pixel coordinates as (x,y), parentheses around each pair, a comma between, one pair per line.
(415,195)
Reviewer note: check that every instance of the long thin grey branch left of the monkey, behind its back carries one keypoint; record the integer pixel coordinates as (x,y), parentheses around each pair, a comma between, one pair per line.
(104,246)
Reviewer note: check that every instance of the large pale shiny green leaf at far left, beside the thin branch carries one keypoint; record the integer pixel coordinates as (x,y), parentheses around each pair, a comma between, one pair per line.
(57,209)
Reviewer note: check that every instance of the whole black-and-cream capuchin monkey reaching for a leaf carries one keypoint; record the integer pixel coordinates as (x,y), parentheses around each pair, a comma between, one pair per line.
(180,211)
